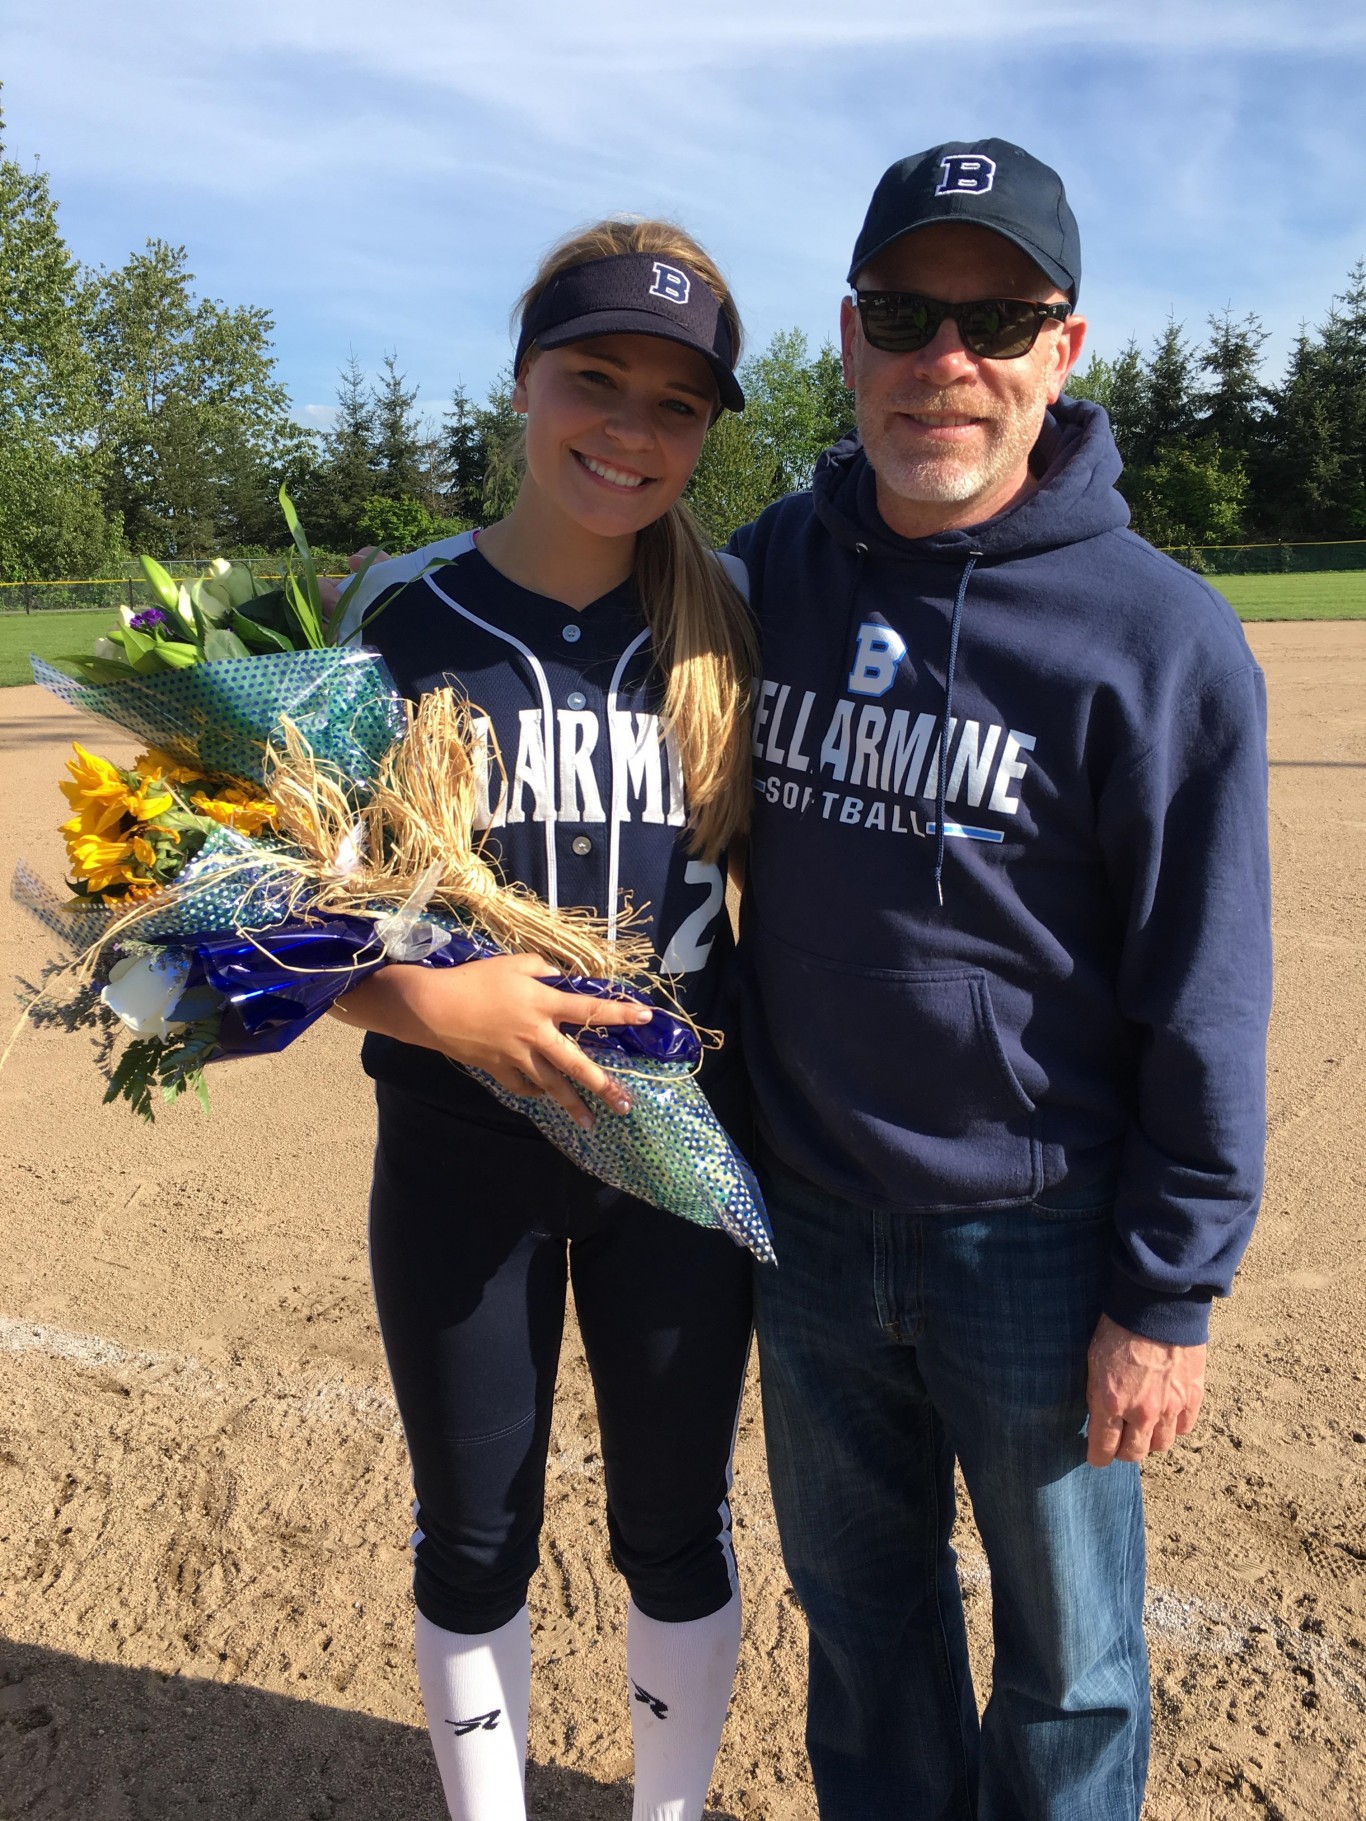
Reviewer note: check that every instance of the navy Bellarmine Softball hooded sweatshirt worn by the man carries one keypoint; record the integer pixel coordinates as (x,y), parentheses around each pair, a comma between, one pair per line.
(1066,986)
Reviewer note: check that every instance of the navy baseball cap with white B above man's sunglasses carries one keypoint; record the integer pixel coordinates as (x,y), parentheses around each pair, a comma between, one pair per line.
(988,183)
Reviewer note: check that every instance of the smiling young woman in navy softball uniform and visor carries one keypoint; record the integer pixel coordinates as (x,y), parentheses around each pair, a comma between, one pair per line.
(613,660)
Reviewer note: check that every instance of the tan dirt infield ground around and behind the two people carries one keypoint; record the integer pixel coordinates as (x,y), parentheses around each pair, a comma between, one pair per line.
(203,1490)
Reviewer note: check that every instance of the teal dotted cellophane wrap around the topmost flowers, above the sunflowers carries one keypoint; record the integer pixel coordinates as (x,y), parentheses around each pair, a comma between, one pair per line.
(221,717)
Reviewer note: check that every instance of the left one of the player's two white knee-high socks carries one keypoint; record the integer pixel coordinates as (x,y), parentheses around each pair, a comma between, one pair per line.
(476,1691)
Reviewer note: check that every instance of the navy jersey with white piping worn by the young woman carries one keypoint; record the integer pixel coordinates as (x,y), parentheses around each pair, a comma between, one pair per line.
(589,804)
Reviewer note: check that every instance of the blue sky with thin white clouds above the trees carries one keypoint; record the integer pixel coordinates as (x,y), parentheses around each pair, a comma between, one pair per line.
(385,176)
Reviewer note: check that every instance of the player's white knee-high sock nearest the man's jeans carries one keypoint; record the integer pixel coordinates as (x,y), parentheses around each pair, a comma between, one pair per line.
(680,1691)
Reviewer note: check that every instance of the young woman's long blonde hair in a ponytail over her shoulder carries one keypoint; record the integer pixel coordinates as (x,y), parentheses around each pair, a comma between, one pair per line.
(700,627)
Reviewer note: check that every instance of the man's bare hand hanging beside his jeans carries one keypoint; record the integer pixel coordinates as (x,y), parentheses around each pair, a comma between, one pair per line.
(1141,1394)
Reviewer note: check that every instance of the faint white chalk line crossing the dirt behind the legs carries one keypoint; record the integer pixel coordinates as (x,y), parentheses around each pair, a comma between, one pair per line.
(1181,1620)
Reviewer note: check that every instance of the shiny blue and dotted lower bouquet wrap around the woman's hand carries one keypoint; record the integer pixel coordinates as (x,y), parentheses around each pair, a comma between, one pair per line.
(669,1150)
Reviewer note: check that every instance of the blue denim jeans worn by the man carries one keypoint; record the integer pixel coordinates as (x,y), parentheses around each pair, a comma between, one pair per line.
(892,1345)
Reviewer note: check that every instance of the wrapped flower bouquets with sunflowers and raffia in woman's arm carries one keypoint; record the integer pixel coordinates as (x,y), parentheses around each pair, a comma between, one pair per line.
(292,826)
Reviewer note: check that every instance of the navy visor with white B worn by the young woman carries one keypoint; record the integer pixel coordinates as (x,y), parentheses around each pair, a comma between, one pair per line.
(635,294)
